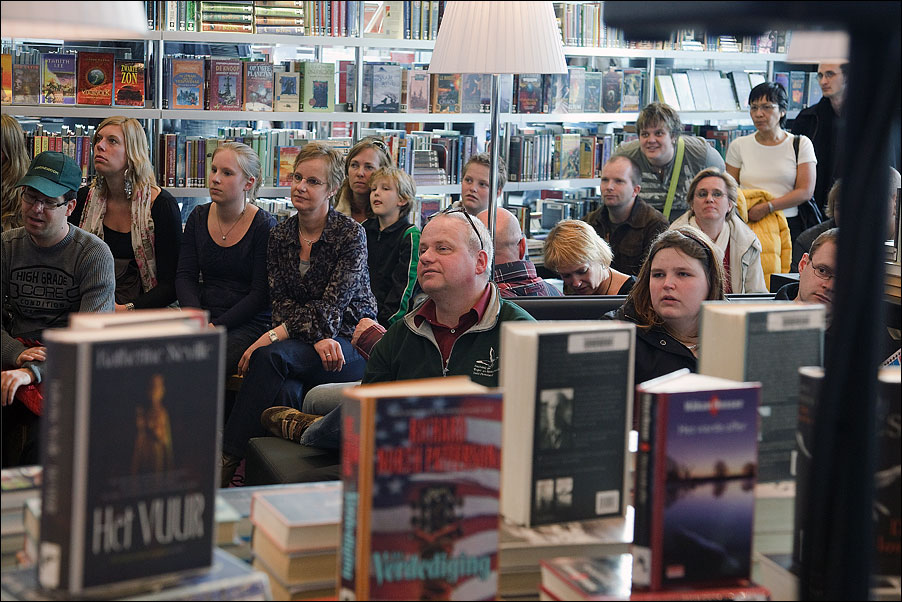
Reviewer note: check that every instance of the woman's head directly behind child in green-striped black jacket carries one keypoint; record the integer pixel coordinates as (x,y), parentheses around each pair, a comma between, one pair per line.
(364,158)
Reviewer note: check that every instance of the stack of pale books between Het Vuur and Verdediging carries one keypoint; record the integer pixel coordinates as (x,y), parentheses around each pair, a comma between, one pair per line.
(295,538)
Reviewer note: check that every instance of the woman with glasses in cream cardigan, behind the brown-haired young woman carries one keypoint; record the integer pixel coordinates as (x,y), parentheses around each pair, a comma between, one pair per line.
(712,209)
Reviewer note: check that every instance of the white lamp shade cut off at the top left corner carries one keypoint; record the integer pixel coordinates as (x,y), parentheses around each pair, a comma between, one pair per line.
(73,20)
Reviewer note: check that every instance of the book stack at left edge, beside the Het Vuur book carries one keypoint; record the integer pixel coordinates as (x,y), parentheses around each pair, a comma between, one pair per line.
(18,485)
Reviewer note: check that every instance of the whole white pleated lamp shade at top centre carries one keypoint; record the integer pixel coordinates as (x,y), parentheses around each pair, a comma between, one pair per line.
(498,37)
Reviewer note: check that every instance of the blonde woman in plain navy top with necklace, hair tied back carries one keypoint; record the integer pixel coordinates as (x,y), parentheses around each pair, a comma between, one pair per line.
(222,264)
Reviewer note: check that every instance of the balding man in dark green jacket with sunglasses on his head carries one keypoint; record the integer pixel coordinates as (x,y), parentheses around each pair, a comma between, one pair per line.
(455,331)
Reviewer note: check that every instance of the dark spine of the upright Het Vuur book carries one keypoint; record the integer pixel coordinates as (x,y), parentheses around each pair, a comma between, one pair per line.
(58,426)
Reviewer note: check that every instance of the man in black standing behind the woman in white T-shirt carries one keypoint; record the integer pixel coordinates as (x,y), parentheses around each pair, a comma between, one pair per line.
(822,123)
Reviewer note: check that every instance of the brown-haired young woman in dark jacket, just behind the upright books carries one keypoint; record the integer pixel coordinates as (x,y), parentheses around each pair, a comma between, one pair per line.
(683,269)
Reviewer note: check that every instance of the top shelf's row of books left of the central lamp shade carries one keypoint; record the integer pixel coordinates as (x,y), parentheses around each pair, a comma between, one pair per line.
(415,20)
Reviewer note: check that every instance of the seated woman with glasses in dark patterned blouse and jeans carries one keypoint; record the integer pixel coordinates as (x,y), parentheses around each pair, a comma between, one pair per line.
(320,289)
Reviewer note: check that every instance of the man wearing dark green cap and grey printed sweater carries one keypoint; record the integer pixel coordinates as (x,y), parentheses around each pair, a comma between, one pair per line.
(50,269)
